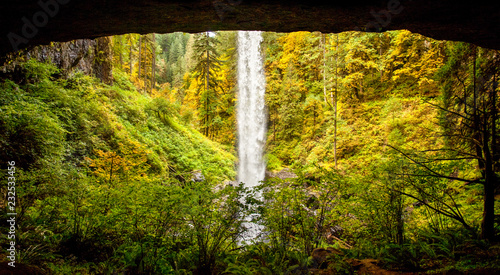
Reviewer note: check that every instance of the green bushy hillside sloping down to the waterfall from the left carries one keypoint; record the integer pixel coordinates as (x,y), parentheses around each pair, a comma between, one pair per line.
(98,172)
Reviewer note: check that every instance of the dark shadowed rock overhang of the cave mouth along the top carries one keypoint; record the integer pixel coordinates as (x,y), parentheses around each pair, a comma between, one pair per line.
(29,22)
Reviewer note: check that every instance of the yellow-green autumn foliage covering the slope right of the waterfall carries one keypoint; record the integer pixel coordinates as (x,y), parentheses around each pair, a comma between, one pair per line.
(402,176)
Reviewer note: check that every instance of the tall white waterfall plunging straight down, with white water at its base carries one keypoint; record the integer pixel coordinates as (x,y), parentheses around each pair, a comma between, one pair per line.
(251,118)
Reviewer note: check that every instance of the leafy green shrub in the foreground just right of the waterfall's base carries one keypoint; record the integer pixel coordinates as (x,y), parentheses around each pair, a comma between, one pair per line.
(295,213)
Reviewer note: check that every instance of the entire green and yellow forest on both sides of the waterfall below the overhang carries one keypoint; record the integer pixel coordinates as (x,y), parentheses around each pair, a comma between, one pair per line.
(119,156)
